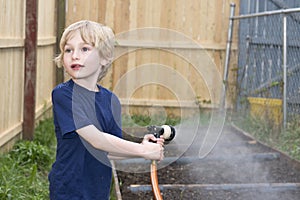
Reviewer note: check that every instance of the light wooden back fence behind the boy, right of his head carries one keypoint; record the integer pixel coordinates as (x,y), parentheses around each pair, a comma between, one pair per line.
(185,37)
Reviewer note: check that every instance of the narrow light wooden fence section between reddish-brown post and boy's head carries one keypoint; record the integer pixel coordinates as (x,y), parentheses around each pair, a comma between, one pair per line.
(46,48)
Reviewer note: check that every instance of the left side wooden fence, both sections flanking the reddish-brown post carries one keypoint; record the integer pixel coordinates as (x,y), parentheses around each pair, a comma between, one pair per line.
(12,37)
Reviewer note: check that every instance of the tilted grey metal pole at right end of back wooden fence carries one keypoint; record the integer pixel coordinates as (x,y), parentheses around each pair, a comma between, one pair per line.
(227,57)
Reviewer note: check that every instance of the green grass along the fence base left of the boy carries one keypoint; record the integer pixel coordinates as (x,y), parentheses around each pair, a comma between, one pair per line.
(24,170)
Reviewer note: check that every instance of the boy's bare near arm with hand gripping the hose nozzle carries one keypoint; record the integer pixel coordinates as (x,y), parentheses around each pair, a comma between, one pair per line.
(120,148)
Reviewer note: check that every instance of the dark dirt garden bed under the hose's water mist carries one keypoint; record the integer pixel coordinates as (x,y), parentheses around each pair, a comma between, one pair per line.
(238,168)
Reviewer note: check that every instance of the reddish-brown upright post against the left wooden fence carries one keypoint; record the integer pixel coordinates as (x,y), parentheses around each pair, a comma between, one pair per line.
(30,68)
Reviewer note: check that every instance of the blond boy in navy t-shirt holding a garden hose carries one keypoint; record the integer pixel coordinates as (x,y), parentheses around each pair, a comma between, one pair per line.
(87,118)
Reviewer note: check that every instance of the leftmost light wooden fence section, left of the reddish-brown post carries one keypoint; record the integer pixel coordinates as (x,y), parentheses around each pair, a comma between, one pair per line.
(12,63)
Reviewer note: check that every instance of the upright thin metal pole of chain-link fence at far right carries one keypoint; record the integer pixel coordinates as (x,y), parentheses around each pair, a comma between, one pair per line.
(284,69)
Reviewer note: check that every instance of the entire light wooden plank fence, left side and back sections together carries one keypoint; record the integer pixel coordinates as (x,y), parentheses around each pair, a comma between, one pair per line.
(170,53)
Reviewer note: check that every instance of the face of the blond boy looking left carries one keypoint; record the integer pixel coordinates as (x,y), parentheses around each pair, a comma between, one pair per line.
(81,60)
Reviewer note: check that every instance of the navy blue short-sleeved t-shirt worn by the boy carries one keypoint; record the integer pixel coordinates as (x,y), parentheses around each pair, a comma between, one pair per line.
(80,171)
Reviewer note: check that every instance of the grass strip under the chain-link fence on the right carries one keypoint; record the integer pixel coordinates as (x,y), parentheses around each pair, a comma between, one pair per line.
(287,141)
